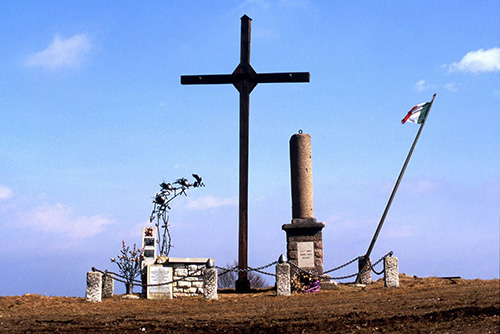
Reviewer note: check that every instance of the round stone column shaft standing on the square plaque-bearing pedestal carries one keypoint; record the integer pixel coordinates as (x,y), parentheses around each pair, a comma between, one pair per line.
(301,176)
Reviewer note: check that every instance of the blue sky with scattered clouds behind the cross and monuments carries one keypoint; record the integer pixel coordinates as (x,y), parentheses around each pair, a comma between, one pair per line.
(93,118)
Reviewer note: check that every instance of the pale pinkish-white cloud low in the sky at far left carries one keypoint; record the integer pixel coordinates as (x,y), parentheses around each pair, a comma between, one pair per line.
(58,219)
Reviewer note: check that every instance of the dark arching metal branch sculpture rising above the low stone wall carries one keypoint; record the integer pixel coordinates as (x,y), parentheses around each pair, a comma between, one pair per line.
(161,207)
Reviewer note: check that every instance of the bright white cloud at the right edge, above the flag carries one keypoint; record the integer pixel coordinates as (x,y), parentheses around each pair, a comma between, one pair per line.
(478,61)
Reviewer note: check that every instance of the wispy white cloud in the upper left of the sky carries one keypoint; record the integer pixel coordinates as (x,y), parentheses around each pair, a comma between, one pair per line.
(69,52)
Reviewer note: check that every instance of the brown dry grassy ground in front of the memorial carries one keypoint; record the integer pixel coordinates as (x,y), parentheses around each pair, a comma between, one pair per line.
(420,305)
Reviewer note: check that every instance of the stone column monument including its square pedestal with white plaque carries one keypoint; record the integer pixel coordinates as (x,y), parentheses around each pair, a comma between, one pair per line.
(304,237)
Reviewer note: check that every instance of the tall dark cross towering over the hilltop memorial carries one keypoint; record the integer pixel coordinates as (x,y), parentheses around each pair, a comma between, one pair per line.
(244,78)
